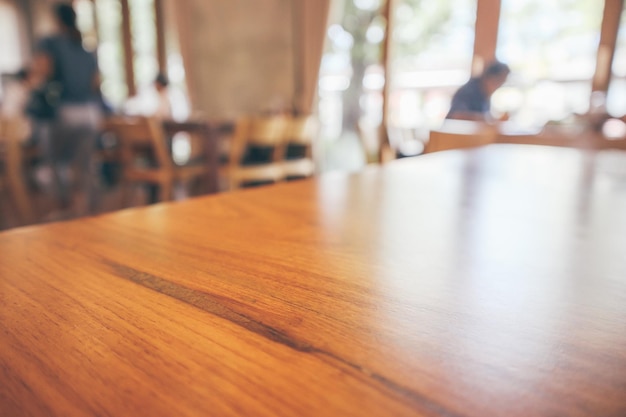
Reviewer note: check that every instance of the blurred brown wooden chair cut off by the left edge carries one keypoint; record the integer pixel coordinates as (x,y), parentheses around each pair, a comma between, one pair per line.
(12,158)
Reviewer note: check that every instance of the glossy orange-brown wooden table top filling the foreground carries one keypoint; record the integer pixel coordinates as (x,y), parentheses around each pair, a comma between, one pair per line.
(488,282)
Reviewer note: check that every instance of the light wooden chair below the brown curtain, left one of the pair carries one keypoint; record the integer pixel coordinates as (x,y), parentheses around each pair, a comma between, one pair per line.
(257,151)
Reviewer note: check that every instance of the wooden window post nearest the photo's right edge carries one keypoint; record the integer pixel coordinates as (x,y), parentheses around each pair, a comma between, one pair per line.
(606,48)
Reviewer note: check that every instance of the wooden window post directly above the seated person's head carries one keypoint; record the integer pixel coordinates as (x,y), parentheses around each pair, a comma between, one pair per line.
(486,34)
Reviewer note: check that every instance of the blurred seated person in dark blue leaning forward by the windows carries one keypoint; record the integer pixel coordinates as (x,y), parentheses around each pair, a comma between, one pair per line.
(473,100)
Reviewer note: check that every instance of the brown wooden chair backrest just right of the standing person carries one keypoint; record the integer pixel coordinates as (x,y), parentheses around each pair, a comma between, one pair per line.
(141,136)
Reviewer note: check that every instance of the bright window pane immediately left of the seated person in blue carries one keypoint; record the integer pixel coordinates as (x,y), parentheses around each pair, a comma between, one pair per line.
(433,44)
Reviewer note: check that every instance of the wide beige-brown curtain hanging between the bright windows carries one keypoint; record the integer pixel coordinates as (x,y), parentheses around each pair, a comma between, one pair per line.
(246,56)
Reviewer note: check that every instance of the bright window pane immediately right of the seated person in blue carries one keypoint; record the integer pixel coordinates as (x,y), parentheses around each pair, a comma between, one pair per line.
(551,47)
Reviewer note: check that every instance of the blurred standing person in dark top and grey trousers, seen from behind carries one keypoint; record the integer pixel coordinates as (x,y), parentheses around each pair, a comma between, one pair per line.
(71,73)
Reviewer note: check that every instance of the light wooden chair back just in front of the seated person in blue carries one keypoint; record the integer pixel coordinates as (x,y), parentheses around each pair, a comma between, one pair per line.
(459,134)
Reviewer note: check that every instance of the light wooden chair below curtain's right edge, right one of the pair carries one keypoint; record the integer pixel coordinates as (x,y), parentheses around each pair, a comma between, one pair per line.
(300,134)
